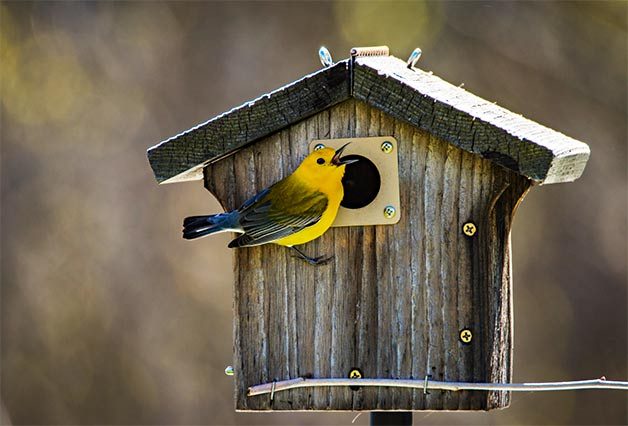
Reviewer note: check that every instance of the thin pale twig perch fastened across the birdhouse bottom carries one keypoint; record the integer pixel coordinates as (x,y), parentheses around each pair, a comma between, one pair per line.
(425,384)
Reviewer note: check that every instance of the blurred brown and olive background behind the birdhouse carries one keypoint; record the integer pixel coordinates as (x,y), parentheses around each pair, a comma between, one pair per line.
(108,316)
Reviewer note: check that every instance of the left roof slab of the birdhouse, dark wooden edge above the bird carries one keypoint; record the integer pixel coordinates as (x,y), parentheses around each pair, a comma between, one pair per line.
(183,156)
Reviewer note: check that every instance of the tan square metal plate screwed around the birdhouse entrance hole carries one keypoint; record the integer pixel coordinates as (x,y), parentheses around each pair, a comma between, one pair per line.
(387,165)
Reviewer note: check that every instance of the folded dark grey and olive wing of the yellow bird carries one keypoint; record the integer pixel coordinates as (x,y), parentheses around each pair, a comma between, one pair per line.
(270,219)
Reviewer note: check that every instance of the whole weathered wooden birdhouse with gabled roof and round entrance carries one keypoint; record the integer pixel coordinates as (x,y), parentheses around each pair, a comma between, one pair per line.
(420,284)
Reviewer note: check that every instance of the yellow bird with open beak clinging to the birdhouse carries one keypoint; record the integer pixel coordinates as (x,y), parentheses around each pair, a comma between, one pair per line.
(293,211)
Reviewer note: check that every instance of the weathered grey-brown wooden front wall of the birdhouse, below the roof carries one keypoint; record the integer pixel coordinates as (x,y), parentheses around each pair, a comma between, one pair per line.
(395,298)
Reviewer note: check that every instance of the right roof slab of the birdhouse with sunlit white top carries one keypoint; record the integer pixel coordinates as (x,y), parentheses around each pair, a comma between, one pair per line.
(468,121)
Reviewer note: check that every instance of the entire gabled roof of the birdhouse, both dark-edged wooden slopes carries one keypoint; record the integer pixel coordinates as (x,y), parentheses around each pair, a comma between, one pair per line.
(384,82)
